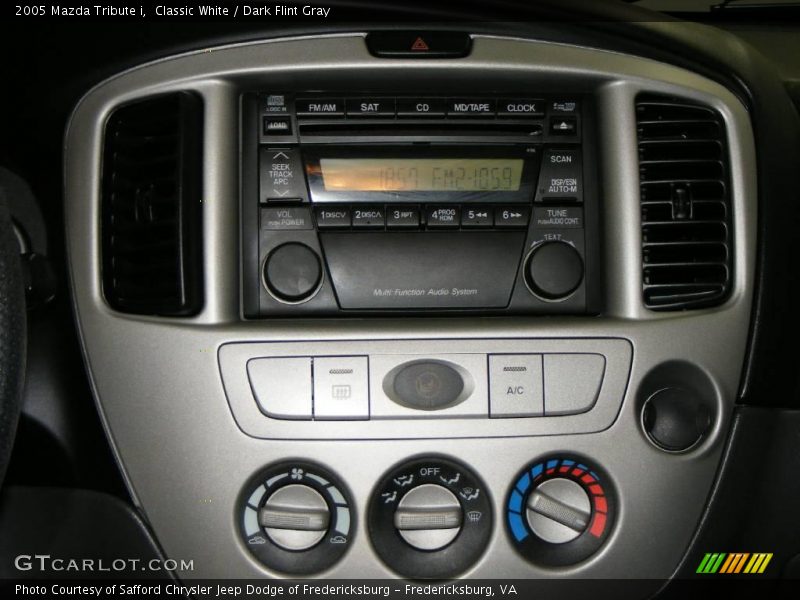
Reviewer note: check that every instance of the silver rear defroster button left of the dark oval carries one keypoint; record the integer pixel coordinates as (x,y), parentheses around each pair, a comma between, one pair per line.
(341,387)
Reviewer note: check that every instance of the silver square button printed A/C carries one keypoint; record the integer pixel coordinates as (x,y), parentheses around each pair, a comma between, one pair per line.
(515,385)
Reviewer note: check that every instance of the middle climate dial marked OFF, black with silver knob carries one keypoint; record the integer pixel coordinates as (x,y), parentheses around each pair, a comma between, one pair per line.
(430,518)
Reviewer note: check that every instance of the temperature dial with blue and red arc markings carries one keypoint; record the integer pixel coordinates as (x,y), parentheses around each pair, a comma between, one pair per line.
(559,511)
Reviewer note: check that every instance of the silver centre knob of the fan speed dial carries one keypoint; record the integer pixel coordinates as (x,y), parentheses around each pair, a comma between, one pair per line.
(295,517)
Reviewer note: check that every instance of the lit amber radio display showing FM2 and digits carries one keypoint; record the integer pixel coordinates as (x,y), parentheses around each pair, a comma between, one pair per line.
(421,174)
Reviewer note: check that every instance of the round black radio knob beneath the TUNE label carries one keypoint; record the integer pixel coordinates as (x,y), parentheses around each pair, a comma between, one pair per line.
(554,270)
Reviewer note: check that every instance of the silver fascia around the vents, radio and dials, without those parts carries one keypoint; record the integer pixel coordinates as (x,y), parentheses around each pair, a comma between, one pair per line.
(157,381)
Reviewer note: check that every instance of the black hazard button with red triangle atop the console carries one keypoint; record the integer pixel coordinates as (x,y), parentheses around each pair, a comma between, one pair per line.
(419,44)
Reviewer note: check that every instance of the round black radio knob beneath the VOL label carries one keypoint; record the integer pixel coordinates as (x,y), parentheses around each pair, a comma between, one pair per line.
(292,272)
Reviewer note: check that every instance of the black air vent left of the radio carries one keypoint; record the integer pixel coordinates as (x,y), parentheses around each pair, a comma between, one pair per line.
(151,206)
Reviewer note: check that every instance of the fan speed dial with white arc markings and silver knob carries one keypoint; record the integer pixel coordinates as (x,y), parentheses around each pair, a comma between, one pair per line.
(296,518)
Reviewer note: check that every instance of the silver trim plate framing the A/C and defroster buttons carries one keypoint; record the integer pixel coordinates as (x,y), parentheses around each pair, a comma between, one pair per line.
(383,357)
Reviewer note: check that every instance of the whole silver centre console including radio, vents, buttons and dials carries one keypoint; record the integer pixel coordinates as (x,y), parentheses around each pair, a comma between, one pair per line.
(357,316)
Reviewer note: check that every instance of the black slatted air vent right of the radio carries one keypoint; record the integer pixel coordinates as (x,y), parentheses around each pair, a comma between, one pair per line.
(685,202)
